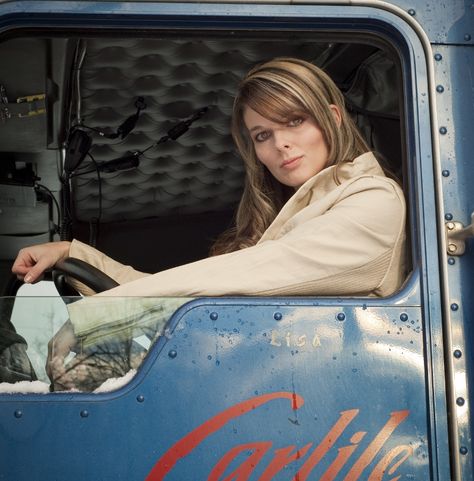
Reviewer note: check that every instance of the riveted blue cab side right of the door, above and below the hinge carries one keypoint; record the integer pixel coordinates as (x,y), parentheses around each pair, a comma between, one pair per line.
(456,112)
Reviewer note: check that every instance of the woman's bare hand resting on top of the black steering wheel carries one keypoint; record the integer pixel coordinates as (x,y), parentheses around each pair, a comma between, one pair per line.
(31,262)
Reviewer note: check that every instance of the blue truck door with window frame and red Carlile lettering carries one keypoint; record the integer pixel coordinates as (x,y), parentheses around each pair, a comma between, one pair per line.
(280,388)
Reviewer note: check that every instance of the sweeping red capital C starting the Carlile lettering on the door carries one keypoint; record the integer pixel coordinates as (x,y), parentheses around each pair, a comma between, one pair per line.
(185,445)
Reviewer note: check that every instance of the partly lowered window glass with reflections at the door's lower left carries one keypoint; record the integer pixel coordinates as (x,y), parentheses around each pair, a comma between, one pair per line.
(87,345)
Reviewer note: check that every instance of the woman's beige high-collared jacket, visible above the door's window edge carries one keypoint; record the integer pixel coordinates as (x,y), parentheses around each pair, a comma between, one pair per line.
(341,233)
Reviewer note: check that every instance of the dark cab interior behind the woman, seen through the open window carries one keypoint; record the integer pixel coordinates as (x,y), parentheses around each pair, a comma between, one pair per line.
(122,140)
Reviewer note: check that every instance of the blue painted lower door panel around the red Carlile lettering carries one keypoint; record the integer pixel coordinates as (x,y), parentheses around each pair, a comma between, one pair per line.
(372,361)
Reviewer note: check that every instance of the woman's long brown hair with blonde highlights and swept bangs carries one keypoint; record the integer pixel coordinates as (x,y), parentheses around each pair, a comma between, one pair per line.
(276,90)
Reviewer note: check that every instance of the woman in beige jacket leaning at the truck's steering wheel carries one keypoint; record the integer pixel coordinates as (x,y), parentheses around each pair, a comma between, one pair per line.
(318,215)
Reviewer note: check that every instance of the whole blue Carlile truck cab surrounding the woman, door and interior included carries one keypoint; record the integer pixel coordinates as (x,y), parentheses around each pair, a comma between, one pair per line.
(115,130)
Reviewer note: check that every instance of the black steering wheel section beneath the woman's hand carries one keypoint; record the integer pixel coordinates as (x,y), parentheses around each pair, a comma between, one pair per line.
(82,272)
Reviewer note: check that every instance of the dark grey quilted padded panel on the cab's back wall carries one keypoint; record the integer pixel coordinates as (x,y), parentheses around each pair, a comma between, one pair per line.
(200,171)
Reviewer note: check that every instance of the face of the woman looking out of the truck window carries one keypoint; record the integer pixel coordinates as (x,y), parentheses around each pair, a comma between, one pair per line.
(293,151)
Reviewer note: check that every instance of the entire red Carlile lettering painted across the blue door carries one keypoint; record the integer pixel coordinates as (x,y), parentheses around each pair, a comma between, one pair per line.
(389,463)
